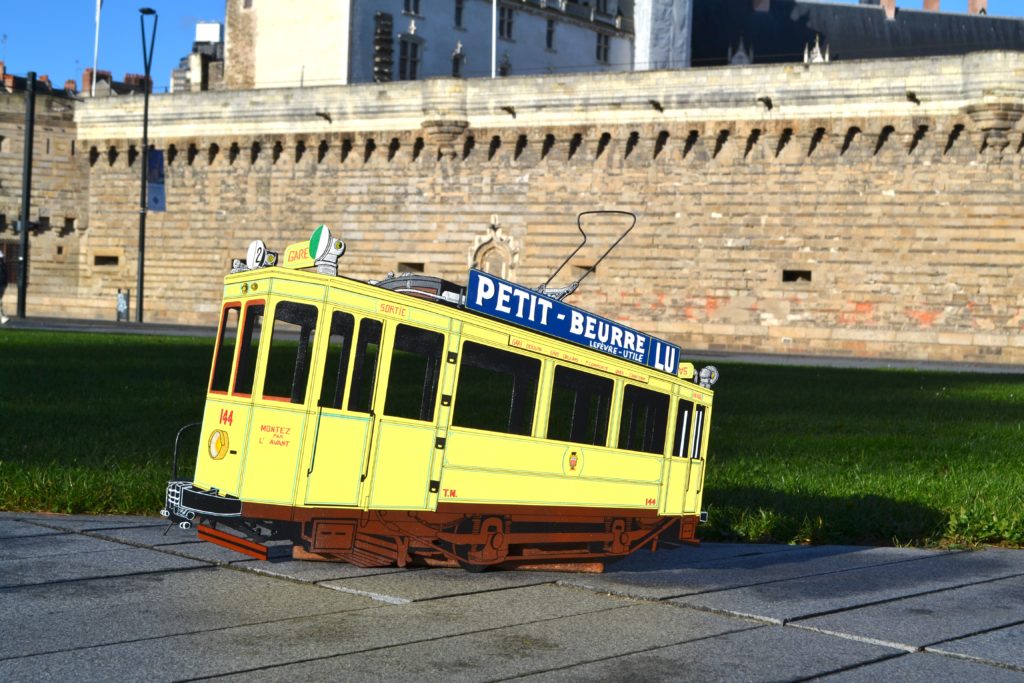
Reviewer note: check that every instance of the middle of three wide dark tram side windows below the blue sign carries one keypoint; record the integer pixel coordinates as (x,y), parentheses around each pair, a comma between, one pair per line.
(580,406)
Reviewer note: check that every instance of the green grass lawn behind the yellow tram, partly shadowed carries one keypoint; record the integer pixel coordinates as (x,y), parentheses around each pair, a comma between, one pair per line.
(804,455)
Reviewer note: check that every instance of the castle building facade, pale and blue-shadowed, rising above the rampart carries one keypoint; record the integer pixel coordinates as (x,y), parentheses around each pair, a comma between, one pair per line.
(331,42)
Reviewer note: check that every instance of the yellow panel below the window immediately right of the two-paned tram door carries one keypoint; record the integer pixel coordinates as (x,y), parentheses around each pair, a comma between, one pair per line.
(402,467)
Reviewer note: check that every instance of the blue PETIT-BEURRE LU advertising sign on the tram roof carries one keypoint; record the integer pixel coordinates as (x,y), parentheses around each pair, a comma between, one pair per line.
(520,306)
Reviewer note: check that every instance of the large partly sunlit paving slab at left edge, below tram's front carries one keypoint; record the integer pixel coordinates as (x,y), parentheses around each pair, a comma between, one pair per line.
(72,616)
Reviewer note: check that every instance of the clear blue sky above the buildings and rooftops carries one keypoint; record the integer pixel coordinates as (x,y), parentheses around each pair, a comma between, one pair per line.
(56,37)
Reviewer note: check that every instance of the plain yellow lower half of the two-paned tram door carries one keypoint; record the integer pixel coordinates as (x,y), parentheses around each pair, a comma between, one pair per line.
(339,456)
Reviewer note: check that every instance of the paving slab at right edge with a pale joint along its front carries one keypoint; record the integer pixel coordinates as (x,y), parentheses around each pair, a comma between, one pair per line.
(928,620)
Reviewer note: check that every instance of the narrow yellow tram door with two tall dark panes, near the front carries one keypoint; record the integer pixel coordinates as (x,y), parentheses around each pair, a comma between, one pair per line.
(346,415)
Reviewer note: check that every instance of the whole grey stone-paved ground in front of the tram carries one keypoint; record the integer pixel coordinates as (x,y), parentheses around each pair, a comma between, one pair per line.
(105,599)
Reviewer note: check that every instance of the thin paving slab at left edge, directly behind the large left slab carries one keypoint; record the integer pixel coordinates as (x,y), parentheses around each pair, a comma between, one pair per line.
(118,563)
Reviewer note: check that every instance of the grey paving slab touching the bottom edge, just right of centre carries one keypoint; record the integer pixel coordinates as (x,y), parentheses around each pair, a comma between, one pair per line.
(764,654)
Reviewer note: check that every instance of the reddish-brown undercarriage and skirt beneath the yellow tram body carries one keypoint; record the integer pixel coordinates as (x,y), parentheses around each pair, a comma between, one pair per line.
(475,536)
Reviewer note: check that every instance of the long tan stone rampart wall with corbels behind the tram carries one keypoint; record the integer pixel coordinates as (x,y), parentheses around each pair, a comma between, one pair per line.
(862,209)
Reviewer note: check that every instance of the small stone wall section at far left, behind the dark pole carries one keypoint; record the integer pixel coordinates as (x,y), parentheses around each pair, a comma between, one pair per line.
(59,188)
